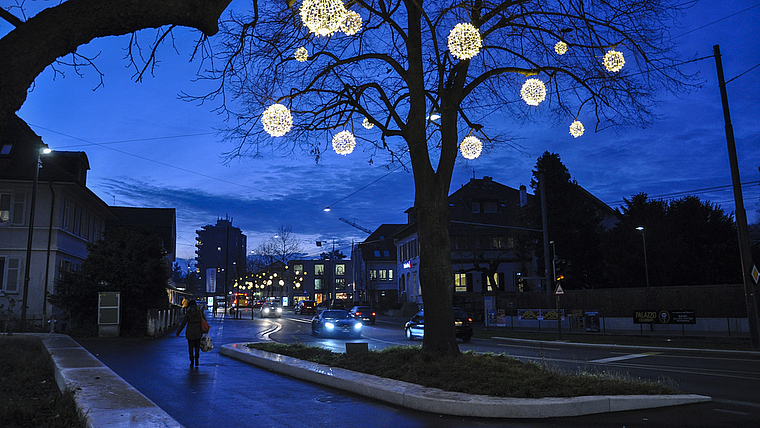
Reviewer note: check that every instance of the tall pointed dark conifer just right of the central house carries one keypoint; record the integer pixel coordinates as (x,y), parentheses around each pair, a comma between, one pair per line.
(574,224)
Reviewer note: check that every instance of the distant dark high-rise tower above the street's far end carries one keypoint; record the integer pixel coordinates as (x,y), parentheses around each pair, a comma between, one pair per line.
(220,256)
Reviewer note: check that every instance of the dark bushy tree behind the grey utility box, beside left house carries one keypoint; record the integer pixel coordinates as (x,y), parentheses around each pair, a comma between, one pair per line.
(127,260)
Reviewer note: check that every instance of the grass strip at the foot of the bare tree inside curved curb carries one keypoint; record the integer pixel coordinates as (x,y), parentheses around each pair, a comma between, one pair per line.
(495,375)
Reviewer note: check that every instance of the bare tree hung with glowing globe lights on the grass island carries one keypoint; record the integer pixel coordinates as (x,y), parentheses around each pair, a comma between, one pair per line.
(399,70)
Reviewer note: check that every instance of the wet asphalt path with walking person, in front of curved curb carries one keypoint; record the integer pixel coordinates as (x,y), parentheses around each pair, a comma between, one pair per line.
(224,392)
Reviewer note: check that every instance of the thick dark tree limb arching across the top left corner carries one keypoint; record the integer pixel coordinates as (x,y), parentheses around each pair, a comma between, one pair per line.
(60,30)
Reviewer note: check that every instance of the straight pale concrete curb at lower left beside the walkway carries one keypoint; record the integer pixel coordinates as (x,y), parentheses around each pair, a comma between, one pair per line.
(103,397)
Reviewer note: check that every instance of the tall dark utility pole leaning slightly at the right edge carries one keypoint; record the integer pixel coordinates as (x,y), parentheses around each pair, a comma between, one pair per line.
(741,215)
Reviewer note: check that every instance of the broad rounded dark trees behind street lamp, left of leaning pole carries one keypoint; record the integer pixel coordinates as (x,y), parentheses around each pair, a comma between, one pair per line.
(688,242)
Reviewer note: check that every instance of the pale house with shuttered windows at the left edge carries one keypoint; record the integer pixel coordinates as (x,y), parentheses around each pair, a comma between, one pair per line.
(67,217)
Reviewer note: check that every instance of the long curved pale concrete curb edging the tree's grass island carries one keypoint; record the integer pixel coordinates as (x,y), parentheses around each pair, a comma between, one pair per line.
(449,403)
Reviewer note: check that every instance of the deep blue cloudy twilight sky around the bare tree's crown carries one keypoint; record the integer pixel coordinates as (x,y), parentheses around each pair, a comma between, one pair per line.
(149,148)
